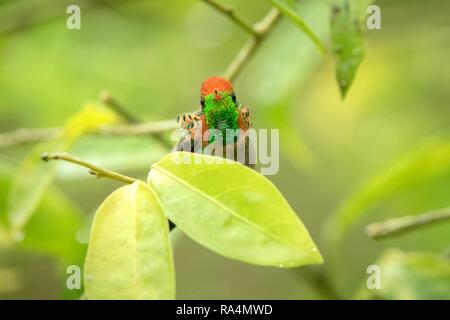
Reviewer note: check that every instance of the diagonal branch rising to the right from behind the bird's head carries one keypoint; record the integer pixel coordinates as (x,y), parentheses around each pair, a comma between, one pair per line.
(262,29)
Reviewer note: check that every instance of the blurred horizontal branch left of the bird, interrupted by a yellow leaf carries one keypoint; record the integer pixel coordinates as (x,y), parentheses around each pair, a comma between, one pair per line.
(21,136)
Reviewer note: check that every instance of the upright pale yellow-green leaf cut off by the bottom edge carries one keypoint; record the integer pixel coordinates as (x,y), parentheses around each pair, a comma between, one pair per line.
(129,253)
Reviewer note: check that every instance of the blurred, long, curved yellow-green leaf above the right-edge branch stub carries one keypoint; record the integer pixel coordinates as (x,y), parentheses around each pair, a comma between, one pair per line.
(430,161)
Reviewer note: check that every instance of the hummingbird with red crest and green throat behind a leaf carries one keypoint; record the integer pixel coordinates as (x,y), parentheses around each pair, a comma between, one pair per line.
(220,114)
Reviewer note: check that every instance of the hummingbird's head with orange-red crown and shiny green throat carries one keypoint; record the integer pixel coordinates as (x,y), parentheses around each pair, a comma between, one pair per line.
(219,104)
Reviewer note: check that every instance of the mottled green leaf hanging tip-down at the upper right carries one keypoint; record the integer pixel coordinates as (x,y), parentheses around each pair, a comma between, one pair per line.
(347,37)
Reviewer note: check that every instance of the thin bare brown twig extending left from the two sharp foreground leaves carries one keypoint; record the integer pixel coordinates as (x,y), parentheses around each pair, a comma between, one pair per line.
(93,169)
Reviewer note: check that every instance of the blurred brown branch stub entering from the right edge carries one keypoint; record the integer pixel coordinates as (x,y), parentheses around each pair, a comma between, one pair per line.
(402,225)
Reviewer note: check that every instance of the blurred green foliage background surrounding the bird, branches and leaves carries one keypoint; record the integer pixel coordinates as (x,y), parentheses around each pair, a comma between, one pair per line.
(153,55)
